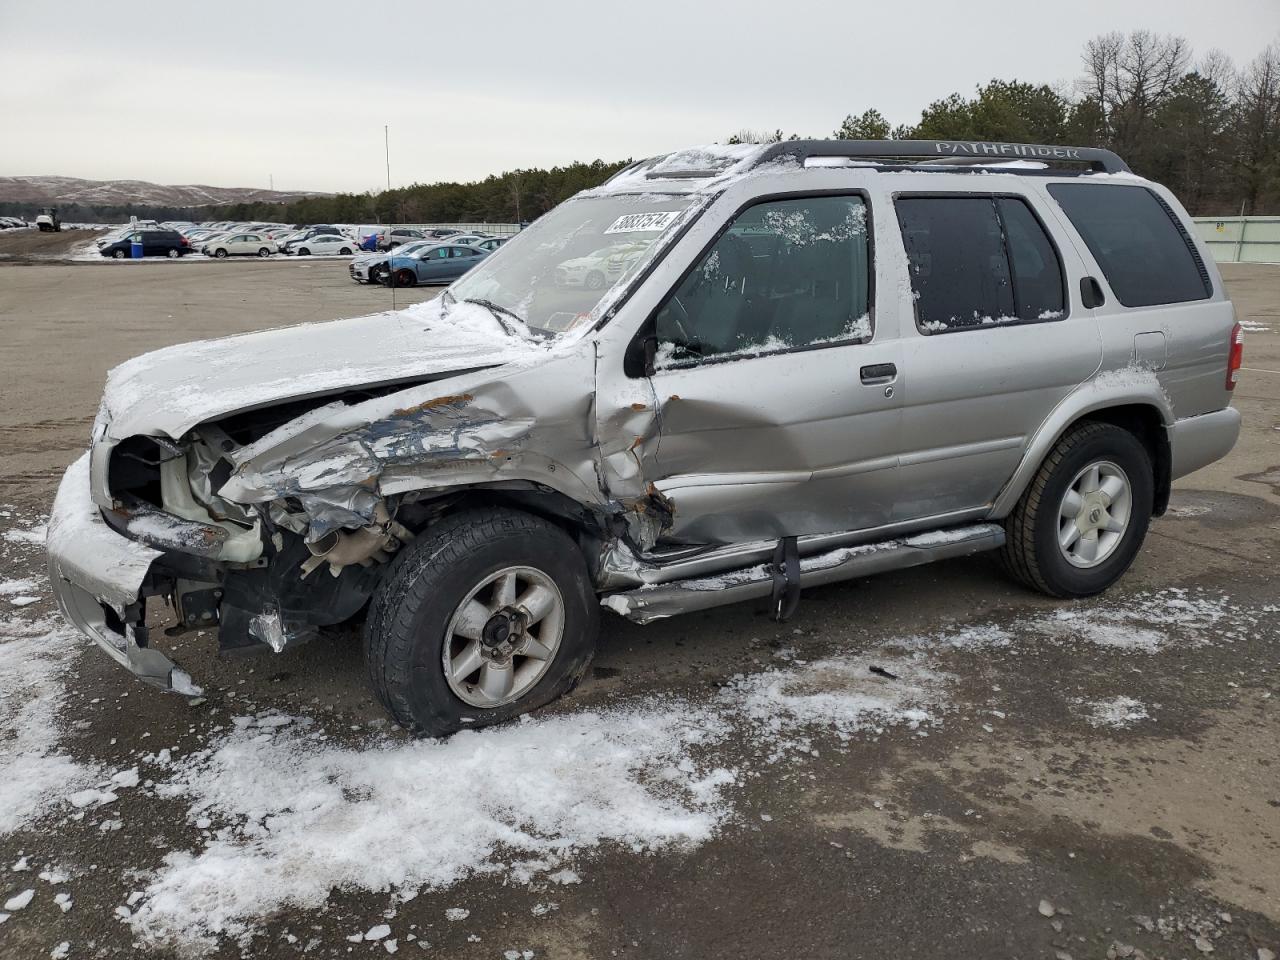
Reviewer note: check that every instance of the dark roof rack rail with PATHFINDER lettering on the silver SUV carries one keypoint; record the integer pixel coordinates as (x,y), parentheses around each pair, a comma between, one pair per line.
(938,150)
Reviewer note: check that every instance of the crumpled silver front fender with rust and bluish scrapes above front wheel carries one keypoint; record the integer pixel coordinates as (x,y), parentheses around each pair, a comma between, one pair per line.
(340,461)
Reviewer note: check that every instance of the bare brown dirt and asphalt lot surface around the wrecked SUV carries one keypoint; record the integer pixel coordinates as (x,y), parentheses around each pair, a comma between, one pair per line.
(1025,819)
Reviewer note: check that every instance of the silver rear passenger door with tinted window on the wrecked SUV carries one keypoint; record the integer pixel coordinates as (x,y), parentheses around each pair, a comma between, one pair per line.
(1000,339)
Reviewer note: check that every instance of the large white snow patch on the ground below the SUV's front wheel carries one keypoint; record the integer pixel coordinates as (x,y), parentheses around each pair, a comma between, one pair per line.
(304,816)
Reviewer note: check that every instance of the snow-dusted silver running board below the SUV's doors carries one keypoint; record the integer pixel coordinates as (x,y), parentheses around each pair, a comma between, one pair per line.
(655,602)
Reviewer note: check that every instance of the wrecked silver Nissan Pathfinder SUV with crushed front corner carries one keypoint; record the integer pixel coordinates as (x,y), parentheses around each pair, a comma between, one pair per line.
(824,360)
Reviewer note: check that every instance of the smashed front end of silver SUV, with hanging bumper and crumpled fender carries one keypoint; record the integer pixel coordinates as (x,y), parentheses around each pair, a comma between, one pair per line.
(269,524)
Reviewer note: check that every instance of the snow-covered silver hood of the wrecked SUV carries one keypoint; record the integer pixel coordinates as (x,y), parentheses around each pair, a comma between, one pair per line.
(173,390)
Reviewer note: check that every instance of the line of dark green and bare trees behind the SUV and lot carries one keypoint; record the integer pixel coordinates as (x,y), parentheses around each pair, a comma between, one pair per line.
(1205,127)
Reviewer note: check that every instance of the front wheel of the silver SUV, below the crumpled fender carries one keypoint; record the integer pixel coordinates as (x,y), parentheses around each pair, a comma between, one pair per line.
(488,615)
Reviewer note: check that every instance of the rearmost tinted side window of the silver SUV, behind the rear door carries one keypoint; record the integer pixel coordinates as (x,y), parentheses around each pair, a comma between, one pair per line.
(1144,252)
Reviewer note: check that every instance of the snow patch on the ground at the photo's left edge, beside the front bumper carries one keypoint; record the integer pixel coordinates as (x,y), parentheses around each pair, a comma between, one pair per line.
(34,774)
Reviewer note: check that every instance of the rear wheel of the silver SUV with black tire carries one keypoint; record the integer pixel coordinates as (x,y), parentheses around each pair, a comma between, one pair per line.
(1034,552)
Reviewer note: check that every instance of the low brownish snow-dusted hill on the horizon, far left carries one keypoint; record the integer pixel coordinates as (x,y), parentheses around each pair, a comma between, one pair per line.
(74,191)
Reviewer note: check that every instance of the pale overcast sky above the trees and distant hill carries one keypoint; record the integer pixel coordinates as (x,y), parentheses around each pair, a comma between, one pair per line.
(241,94)
